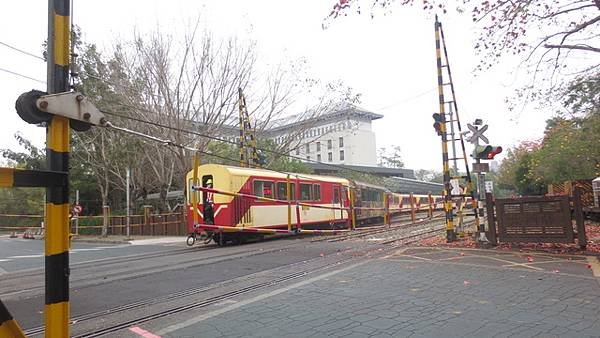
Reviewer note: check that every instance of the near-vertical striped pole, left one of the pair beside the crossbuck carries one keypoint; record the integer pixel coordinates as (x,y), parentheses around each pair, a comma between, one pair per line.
(450,234)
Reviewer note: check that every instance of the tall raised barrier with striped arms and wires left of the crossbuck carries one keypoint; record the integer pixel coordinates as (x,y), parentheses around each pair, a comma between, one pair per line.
(447,125)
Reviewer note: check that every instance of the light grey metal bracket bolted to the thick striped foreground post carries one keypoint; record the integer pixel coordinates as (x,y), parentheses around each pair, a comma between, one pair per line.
(72,105)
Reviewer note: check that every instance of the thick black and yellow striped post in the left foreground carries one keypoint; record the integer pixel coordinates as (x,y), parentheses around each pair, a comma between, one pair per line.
(56,310)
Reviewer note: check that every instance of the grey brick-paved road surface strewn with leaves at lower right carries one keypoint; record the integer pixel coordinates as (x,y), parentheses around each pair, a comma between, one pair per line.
(422,293)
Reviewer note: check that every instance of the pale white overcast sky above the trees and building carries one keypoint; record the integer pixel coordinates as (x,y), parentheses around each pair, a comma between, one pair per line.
(389,59)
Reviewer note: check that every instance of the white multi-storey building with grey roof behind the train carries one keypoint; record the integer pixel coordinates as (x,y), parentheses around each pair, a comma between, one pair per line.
(343,136)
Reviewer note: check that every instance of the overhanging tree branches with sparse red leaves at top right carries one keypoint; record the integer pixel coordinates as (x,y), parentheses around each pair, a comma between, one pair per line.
(552,35)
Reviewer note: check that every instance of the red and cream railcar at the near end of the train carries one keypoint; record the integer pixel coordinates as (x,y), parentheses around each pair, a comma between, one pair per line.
(242,212)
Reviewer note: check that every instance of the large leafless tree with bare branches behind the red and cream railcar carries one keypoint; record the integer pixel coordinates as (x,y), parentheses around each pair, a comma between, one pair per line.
(167,86)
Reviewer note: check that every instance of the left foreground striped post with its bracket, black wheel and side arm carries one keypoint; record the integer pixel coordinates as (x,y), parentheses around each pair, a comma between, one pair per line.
(60,110)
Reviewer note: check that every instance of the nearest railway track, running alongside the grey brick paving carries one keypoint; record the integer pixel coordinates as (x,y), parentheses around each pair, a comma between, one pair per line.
(400,233)
